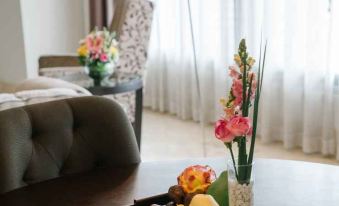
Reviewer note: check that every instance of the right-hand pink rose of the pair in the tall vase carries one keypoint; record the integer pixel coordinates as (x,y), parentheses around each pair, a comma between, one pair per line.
(239,126)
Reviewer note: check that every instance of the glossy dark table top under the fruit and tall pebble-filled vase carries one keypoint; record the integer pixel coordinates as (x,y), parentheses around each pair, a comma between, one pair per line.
(277,182)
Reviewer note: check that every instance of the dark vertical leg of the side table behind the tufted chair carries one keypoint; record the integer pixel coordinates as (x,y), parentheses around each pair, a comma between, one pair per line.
(138,116)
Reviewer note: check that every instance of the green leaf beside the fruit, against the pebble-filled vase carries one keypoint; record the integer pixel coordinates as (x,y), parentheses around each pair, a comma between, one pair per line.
(218,189)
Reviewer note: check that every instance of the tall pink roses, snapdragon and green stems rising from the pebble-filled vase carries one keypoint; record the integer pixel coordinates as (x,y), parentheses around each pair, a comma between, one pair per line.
(235,126)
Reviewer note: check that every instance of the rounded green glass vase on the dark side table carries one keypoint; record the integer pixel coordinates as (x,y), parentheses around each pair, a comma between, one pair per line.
(100,72)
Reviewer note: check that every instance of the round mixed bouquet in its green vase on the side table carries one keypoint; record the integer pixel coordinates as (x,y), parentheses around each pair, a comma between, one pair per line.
(98,52)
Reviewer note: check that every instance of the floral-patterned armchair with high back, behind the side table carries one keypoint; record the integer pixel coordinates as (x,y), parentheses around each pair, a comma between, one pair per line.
(132,22)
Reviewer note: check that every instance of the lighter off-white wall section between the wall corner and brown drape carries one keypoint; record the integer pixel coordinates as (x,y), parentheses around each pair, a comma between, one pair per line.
(51,27)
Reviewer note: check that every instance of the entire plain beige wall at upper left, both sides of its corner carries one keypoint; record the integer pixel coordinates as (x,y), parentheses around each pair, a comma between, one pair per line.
(31,28)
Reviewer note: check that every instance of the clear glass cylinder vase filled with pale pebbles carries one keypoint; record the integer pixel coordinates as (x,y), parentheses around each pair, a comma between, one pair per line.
(240,184)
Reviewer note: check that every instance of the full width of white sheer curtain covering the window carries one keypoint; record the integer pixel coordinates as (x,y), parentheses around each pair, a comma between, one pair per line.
(300,100)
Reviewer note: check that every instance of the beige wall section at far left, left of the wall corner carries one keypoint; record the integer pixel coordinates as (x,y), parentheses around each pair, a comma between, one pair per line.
(12,49)
